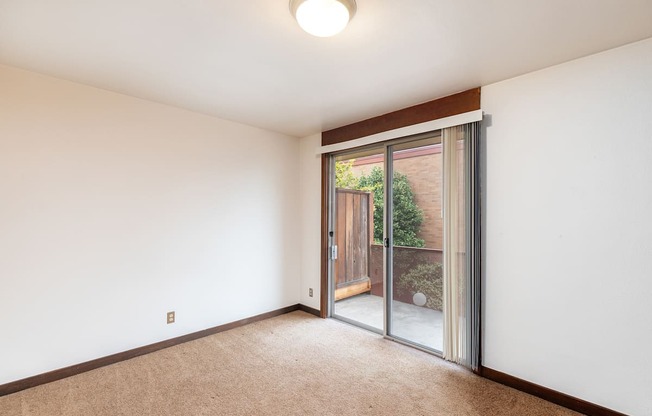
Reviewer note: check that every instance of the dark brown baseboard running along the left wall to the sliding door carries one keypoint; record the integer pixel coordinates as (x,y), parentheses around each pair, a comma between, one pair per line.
(26,383)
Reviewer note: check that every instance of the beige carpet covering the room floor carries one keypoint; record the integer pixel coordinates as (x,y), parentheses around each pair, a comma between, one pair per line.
(294,364)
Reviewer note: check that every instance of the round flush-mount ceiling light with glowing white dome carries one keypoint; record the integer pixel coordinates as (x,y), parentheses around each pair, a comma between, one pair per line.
(323,18)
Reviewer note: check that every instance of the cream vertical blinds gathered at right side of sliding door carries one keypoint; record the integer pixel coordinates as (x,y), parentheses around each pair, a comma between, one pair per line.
(461,245)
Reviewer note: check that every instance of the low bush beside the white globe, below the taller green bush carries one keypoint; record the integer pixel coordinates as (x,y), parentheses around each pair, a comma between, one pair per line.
(426,278)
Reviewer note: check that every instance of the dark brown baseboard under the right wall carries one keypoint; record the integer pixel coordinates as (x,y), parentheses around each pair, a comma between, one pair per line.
(545,393)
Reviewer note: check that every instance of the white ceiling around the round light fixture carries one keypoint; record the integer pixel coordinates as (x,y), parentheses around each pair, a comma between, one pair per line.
(248,61)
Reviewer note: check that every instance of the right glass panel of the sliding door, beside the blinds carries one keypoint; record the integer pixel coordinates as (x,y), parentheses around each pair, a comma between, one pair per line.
(415,233)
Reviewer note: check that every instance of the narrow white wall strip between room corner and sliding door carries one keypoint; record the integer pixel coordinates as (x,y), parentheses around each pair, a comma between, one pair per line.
(310,220)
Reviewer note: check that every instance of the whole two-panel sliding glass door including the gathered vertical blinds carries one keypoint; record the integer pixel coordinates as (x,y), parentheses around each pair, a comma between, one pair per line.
(403,238)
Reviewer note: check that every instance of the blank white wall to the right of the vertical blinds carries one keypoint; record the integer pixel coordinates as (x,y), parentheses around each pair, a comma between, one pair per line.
(568,287)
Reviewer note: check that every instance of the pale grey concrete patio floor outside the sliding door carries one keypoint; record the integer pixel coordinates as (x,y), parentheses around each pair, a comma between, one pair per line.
(412,323)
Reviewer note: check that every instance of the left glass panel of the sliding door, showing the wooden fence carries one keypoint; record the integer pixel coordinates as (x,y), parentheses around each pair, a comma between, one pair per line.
(357,227)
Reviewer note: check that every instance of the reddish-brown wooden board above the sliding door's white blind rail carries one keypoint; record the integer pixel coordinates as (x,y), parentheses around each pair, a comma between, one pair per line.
(451,105)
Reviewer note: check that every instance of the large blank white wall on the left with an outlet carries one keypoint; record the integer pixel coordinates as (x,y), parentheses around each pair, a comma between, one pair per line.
(115,210)
